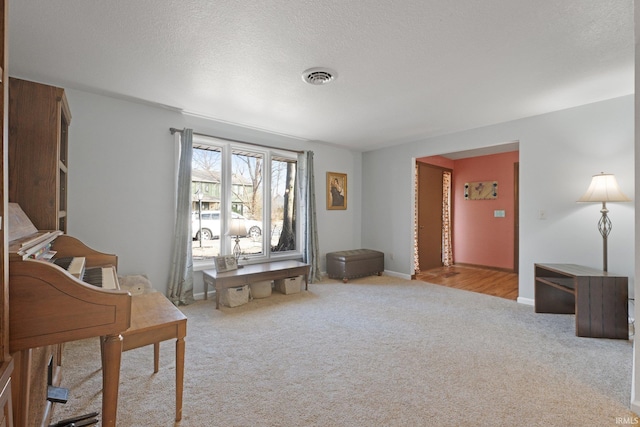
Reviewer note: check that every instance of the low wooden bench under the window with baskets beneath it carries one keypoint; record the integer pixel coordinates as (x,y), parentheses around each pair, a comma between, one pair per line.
(253,273)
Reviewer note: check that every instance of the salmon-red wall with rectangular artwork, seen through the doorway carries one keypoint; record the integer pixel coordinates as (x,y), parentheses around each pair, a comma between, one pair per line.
(479,238)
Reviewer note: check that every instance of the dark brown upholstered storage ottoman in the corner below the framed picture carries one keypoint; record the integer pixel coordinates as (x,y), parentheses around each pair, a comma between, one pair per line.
(347,265)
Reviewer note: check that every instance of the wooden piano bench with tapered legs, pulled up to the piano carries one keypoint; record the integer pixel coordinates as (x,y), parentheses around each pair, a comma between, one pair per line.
(154,319)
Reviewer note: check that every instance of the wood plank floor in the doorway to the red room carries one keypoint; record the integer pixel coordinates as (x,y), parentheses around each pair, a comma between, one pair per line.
(485,281)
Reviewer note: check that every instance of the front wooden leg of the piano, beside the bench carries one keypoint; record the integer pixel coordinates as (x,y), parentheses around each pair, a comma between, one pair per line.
(112,356)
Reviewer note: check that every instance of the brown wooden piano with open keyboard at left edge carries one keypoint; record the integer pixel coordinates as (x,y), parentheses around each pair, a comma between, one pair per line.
(51,302)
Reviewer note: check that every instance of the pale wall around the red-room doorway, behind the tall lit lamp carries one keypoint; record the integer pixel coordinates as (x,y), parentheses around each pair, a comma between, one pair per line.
(559,152)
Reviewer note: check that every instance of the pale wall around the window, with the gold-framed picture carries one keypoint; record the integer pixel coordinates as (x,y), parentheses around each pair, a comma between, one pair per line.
(121,181)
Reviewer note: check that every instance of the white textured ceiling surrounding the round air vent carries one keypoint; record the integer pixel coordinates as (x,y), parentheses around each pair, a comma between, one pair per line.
(407,70)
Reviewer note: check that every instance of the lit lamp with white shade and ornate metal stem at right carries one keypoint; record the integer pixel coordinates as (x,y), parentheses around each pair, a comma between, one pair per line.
(604,188)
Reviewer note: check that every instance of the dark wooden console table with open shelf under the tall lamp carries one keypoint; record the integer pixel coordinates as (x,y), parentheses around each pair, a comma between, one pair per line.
(598,299)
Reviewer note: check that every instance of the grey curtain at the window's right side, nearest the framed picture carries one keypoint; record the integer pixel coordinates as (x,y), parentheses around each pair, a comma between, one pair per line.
(310,252)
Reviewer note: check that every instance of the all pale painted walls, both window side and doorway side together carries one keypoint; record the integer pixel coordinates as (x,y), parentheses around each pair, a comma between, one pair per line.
(122,164)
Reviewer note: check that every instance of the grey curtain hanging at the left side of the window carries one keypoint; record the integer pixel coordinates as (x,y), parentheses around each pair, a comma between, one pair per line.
(180,290)
